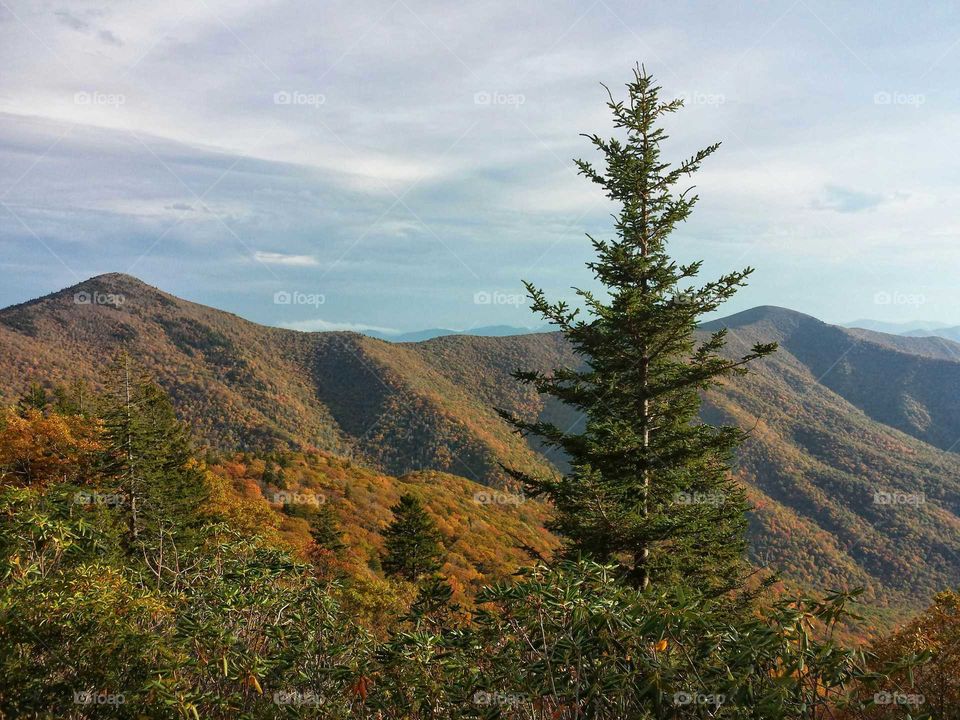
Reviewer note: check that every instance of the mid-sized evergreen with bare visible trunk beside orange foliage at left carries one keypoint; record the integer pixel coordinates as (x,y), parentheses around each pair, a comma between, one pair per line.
(149,456)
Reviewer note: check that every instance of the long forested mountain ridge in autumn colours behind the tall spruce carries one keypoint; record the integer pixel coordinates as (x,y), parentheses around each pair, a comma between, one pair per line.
(841,420)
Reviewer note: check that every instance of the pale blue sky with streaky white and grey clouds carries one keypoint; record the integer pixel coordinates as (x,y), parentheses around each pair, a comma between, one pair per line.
(404,164)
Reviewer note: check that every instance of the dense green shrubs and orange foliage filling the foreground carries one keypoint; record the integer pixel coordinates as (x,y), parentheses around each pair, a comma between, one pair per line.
(209,620)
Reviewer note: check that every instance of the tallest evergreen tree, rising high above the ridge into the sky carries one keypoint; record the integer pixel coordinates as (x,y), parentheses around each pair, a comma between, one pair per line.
(649,485)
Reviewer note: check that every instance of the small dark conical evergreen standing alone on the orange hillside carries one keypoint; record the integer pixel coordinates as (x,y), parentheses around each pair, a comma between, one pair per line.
(412,542)
